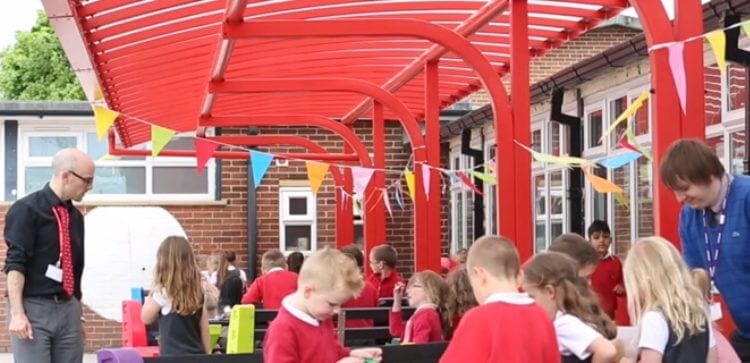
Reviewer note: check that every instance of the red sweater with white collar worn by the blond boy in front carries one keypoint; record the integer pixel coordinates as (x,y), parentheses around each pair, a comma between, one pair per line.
(294,336)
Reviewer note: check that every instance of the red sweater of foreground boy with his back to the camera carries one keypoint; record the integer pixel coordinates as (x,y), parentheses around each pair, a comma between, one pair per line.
(509,328)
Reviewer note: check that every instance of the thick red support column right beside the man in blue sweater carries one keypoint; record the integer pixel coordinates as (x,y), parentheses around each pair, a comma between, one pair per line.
(669,123)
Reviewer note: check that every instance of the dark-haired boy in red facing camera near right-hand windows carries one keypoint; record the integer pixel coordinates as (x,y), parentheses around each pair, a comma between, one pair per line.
(607,278)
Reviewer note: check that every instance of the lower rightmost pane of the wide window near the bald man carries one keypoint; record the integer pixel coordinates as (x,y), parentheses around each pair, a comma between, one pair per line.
(179,180)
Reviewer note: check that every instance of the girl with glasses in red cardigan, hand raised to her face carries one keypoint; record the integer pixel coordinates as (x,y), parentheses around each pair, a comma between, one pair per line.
(428,293)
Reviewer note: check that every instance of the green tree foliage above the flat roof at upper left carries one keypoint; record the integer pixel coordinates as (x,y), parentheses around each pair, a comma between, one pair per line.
(36,68)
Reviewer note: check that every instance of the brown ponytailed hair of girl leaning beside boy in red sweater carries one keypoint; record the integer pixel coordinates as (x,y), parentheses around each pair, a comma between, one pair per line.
(572,293)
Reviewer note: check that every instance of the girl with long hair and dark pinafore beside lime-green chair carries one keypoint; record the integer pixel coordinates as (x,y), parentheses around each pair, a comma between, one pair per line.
(177,301)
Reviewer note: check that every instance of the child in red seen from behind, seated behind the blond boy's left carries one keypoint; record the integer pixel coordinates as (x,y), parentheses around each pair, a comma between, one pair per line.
(275,284)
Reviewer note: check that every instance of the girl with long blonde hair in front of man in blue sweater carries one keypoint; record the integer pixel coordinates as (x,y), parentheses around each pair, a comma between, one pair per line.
(666,305)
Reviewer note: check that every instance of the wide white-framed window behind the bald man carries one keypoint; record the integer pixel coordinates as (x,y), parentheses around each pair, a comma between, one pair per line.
(121,179)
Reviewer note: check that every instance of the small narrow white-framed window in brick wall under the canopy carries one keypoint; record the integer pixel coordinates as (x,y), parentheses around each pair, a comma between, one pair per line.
(297,219)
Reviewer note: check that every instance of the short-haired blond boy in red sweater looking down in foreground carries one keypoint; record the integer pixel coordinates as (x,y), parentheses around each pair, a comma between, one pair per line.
(303,330)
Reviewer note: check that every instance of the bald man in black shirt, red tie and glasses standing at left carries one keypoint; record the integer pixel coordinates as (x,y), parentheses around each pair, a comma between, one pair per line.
(44,264)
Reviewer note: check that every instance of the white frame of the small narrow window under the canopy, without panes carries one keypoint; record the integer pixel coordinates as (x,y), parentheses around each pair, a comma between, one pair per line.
(310,218)
